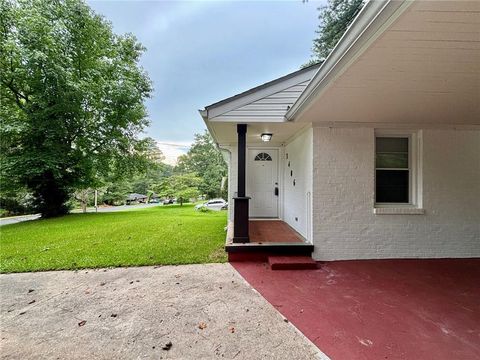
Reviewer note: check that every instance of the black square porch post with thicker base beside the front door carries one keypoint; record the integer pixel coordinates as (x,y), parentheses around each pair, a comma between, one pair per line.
(240,218)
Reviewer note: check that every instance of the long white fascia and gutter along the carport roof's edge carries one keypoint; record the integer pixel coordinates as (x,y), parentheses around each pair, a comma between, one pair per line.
(374,18)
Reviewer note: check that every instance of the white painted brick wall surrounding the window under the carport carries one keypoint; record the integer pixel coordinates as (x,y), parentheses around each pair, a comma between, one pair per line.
(344,226)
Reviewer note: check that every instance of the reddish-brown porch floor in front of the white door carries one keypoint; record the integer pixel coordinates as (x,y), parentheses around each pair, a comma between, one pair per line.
(273,231)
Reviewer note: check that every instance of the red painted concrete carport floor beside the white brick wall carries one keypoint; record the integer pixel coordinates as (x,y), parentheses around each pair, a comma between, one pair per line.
(380,309)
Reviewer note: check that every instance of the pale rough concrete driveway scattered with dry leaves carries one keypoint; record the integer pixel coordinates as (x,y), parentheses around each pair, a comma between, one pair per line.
(170,312)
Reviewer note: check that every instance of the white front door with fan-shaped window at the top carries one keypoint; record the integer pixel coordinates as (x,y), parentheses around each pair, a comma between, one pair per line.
(262,180)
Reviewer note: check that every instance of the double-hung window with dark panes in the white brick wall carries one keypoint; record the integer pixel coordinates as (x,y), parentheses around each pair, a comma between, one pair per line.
(394,182)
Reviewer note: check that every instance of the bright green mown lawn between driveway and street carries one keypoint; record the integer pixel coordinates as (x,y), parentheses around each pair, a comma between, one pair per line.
(153,236)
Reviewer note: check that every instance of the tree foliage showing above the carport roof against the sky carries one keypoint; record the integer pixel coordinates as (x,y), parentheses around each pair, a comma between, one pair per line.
(335,18)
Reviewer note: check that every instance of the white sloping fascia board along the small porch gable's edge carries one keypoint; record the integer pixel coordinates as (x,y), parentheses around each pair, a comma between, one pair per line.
(219,110)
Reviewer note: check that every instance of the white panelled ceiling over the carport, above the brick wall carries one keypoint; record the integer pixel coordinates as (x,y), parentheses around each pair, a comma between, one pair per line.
(423,69)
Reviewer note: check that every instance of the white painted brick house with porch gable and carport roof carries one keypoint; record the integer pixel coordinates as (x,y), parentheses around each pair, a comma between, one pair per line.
(376,152)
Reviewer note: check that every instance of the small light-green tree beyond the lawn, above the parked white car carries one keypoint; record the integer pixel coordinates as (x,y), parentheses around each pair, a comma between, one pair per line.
(181,186)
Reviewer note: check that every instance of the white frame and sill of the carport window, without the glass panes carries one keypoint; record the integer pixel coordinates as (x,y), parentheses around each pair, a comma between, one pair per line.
(414,174)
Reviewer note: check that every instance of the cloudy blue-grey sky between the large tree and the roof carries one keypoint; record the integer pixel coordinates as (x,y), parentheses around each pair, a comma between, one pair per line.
(200,52)
